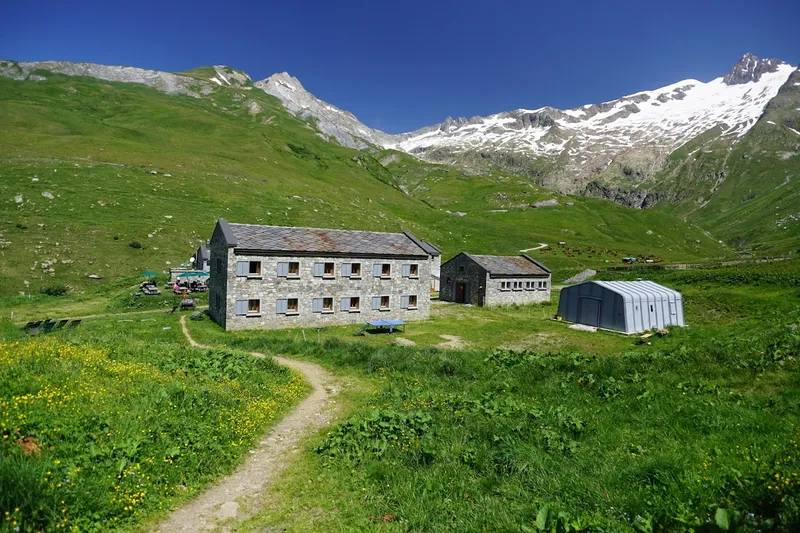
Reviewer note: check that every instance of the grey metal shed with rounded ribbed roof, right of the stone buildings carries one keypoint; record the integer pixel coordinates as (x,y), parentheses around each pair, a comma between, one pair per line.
(626,306)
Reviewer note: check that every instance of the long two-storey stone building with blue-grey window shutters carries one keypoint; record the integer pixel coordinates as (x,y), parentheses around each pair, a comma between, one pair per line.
(270,277)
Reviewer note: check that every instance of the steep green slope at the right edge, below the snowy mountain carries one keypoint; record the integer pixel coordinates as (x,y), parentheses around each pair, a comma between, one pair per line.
(748,195)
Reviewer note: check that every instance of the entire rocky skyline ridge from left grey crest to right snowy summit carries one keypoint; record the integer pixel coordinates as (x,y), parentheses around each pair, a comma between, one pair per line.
(609,150)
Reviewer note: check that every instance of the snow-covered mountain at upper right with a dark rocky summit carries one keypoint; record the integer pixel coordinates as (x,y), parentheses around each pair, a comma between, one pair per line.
(648,125)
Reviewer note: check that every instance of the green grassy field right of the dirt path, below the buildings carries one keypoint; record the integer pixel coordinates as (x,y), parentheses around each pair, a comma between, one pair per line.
(590,433)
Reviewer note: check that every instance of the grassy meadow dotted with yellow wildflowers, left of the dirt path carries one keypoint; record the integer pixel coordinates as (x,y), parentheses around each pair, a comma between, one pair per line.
(116,422)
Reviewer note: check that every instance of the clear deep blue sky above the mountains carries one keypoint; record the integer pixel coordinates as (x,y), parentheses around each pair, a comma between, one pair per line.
(403,65)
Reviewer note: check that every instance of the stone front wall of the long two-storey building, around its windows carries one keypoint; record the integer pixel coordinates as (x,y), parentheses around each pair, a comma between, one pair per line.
(268,288)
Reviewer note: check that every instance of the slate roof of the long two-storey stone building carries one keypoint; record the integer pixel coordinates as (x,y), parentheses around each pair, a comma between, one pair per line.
(317,241)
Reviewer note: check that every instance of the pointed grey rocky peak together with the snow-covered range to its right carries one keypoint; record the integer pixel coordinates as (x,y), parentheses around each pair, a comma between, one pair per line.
(637,131)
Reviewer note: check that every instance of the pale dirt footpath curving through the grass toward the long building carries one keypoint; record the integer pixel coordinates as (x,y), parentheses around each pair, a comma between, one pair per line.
(236,497)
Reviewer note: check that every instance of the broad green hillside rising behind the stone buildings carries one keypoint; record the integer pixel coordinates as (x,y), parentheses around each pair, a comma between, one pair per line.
(127,164)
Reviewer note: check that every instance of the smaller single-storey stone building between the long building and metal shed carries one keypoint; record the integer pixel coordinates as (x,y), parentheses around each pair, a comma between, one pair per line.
(494,280)
